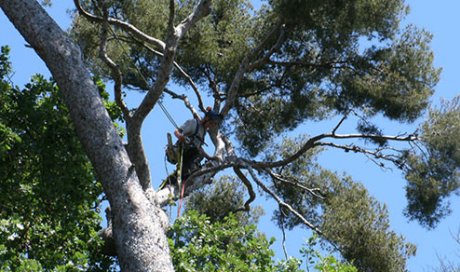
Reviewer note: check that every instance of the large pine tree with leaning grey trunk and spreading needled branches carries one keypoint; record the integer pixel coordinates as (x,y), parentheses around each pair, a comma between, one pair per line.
(267,72)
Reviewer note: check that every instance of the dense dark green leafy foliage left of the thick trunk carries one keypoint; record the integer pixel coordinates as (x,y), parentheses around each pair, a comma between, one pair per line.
(49,194)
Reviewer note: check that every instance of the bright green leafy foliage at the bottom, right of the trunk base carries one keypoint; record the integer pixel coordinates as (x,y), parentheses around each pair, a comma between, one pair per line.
(197,244)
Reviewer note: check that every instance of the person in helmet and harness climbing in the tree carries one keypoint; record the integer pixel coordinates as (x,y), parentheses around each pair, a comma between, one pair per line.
(187,152)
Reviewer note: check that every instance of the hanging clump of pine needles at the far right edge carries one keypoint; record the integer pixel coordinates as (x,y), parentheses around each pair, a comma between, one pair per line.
(434,174)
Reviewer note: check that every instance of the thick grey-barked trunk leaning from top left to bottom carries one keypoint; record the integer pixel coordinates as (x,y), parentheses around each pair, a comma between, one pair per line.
(137,224)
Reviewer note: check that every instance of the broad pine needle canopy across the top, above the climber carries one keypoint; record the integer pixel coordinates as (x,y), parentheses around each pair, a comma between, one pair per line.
(332,57)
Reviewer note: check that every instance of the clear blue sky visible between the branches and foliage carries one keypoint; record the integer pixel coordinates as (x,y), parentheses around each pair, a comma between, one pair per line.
(440,18)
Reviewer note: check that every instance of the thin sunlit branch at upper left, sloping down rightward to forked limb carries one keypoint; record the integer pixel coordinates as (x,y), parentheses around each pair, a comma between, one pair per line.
(121,24)
